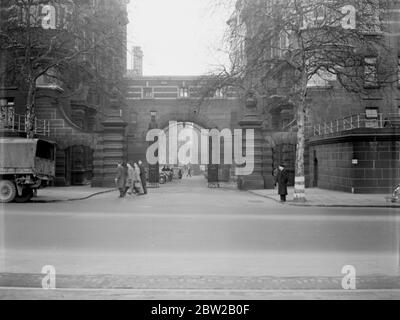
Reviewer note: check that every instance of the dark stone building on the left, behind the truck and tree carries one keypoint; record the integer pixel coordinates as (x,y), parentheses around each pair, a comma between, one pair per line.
(77,107)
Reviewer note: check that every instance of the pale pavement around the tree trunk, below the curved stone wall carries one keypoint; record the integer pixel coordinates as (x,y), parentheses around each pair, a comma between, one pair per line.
(328,198)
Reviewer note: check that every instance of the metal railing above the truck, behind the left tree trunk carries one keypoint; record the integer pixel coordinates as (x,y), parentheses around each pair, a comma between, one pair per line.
(18,123)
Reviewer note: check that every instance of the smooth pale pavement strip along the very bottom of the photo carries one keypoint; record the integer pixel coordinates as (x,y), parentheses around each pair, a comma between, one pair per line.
(174,294)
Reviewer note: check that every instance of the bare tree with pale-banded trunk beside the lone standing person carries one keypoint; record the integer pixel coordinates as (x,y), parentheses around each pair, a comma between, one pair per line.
(307,40)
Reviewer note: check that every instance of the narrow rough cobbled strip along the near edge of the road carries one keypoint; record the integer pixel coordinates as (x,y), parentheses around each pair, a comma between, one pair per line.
(182,282)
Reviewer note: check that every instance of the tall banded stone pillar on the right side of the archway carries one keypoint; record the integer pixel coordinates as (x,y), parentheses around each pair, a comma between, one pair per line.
(252,120)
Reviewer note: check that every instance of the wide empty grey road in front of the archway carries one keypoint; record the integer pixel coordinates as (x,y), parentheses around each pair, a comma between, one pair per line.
(186,235)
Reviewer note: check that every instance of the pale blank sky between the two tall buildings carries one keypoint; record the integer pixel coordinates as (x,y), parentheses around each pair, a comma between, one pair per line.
(178,37)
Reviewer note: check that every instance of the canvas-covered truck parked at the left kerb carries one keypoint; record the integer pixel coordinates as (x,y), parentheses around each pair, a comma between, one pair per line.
(25,166)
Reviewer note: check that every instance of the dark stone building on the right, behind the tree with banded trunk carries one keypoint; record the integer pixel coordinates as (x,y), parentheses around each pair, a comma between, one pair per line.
(353,139)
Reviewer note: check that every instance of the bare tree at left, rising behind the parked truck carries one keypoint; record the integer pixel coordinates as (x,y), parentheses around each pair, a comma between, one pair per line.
(63,40)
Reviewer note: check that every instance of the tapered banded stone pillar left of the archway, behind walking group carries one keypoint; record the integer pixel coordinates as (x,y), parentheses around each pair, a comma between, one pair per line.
(112,149)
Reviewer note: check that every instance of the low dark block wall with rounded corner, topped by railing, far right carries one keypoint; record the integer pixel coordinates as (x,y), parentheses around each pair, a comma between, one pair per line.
(377,161)
